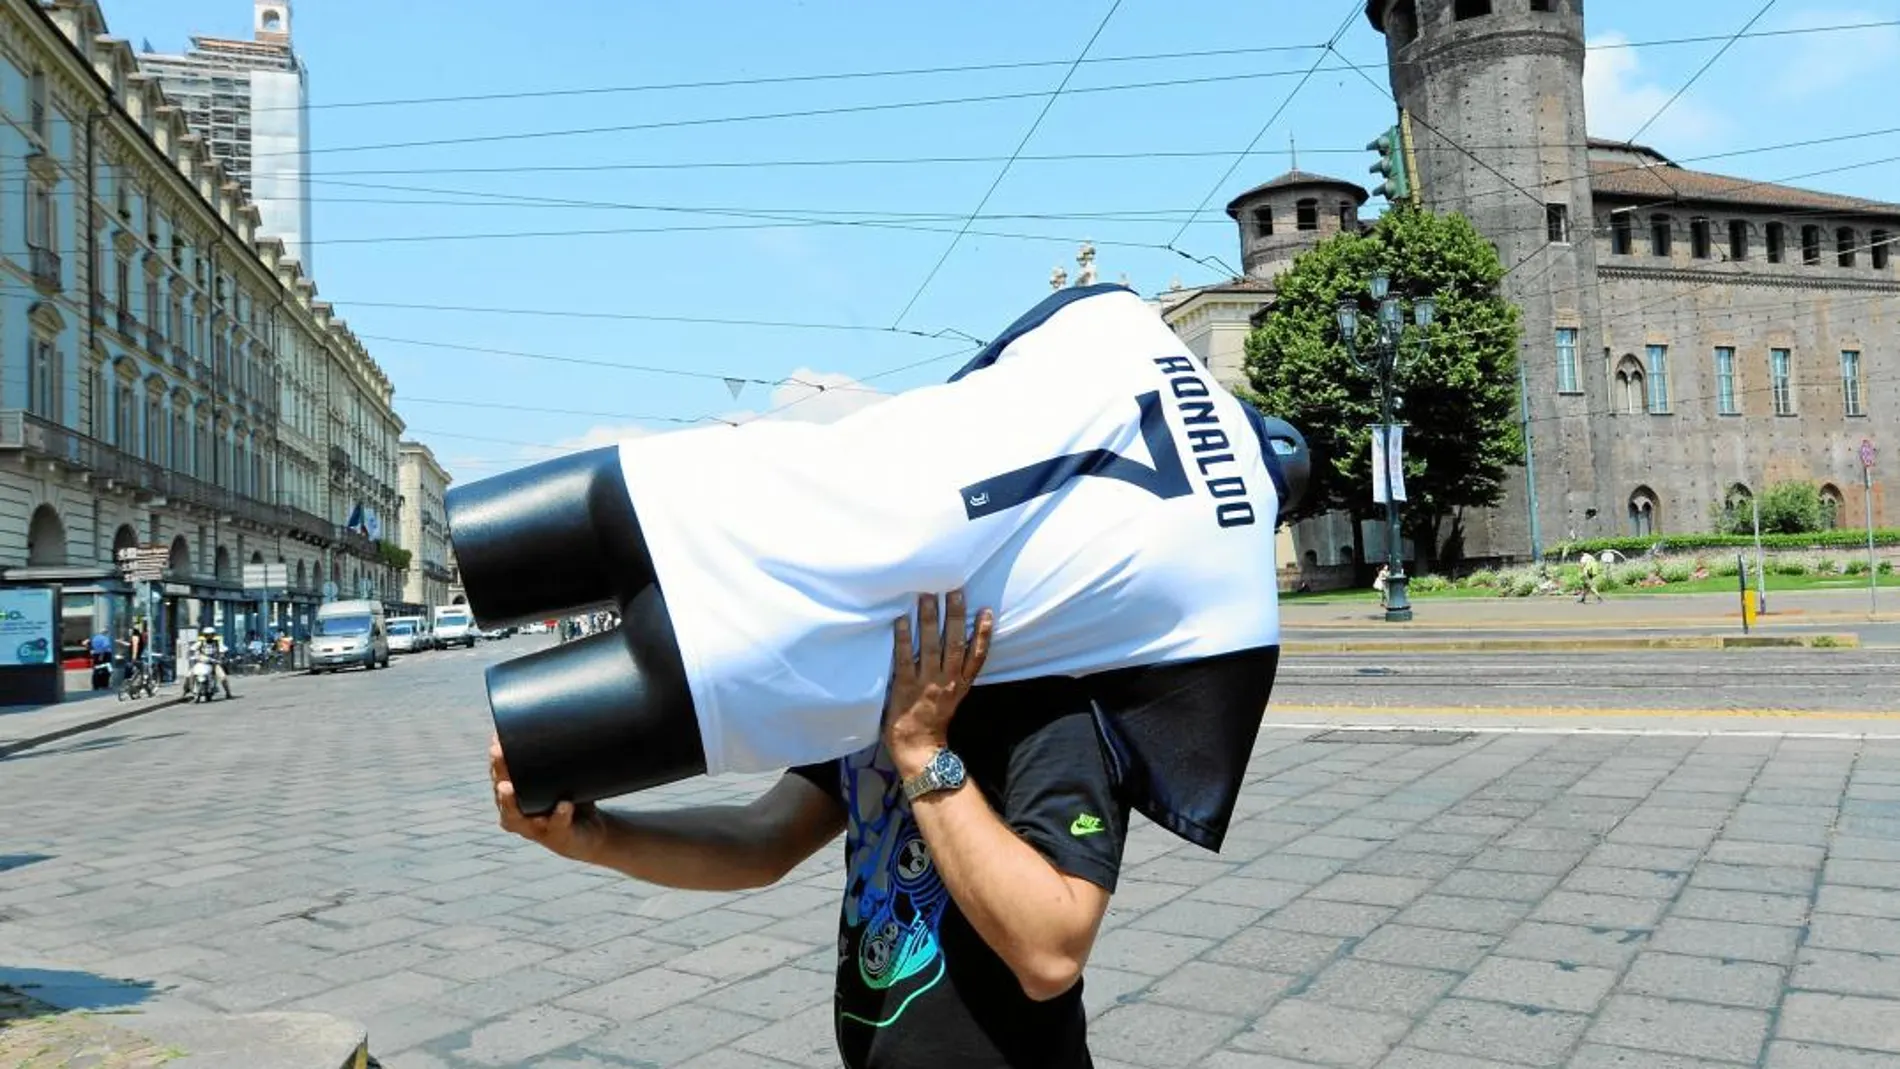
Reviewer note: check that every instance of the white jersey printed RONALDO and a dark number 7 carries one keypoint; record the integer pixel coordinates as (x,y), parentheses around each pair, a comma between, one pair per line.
(1086,479)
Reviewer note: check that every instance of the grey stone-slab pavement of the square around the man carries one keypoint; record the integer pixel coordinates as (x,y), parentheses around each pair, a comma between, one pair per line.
(1409,903)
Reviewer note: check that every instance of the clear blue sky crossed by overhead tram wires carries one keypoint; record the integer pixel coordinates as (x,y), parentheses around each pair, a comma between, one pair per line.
(373,252)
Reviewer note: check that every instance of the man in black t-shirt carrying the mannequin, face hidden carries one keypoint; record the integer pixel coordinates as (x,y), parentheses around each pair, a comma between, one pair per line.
(981,857)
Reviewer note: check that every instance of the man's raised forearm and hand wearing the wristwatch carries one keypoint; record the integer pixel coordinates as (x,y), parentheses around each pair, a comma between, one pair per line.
(1036,918)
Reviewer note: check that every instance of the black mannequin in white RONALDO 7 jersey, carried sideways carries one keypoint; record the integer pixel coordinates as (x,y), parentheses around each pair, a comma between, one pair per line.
(757,569)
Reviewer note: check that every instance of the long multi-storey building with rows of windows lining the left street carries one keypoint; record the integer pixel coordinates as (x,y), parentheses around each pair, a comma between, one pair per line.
(168,377)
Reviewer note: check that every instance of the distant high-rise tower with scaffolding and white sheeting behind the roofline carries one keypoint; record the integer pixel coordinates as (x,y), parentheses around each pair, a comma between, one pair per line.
(250,102)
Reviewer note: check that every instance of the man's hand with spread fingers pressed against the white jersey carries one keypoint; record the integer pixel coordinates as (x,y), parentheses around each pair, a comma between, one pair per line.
(930,683)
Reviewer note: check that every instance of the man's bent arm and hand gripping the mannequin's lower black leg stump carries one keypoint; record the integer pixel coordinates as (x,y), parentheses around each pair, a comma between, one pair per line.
(717,848)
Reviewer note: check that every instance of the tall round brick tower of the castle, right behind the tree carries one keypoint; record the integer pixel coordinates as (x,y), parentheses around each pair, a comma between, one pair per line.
(1494,90)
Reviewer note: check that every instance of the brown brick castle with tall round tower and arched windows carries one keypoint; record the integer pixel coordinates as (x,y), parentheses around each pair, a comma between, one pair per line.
(1688,337)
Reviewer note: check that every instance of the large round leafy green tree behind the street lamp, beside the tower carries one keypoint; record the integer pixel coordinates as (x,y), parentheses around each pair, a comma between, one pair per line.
(1460,402)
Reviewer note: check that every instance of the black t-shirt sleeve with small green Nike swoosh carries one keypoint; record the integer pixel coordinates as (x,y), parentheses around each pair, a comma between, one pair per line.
(1061,798)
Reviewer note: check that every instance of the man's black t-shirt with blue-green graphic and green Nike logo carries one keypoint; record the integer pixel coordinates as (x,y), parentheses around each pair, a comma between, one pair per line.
(917,985)
